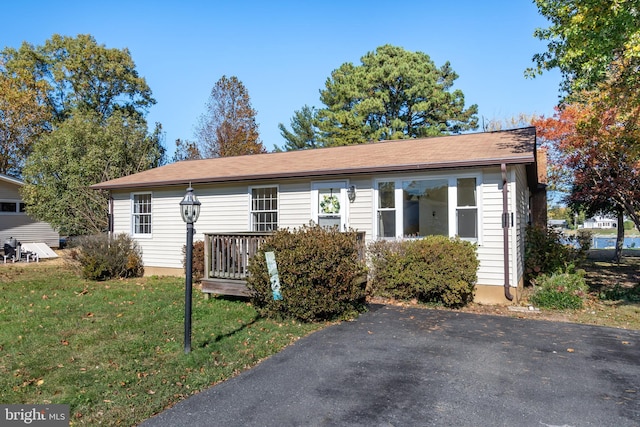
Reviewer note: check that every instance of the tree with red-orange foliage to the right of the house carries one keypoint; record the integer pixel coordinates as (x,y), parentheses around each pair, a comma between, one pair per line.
(596,149)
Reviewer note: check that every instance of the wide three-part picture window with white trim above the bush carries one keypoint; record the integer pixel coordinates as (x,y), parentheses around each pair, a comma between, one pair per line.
(418,207)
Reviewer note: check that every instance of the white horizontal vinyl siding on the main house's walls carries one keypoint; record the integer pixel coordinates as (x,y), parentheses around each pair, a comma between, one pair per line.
(226,208)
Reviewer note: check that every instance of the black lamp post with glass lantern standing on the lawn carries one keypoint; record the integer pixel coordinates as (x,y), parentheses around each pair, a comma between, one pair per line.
(190,210)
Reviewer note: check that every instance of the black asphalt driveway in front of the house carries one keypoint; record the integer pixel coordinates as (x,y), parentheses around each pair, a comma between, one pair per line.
(397,366)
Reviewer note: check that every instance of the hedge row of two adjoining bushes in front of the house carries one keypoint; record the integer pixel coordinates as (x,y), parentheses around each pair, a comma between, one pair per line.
(323,274)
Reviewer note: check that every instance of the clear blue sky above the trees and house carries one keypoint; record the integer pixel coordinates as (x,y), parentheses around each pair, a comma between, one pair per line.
(283,51)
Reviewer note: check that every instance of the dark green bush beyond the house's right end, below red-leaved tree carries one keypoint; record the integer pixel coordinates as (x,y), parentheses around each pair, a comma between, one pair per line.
(546,253)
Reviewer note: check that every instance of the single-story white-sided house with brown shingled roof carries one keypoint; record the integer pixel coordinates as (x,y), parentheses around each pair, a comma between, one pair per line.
(467,185)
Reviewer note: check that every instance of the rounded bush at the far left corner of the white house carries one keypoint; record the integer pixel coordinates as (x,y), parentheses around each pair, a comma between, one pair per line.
(101,257)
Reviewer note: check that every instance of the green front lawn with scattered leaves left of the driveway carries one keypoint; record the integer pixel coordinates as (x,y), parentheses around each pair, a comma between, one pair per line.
(113,350)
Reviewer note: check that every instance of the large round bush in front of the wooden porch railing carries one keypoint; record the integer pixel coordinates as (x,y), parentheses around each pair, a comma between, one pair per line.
(322,275)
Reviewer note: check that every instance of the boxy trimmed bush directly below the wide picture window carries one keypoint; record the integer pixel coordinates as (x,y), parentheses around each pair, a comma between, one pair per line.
(435,269)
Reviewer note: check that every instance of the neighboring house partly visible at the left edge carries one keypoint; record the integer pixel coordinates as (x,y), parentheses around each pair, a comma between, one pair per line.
(14,222)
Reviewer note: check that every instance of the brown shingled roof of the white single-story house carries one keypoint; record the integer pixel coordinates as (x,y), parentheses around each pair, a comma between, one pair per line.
(475,149)
